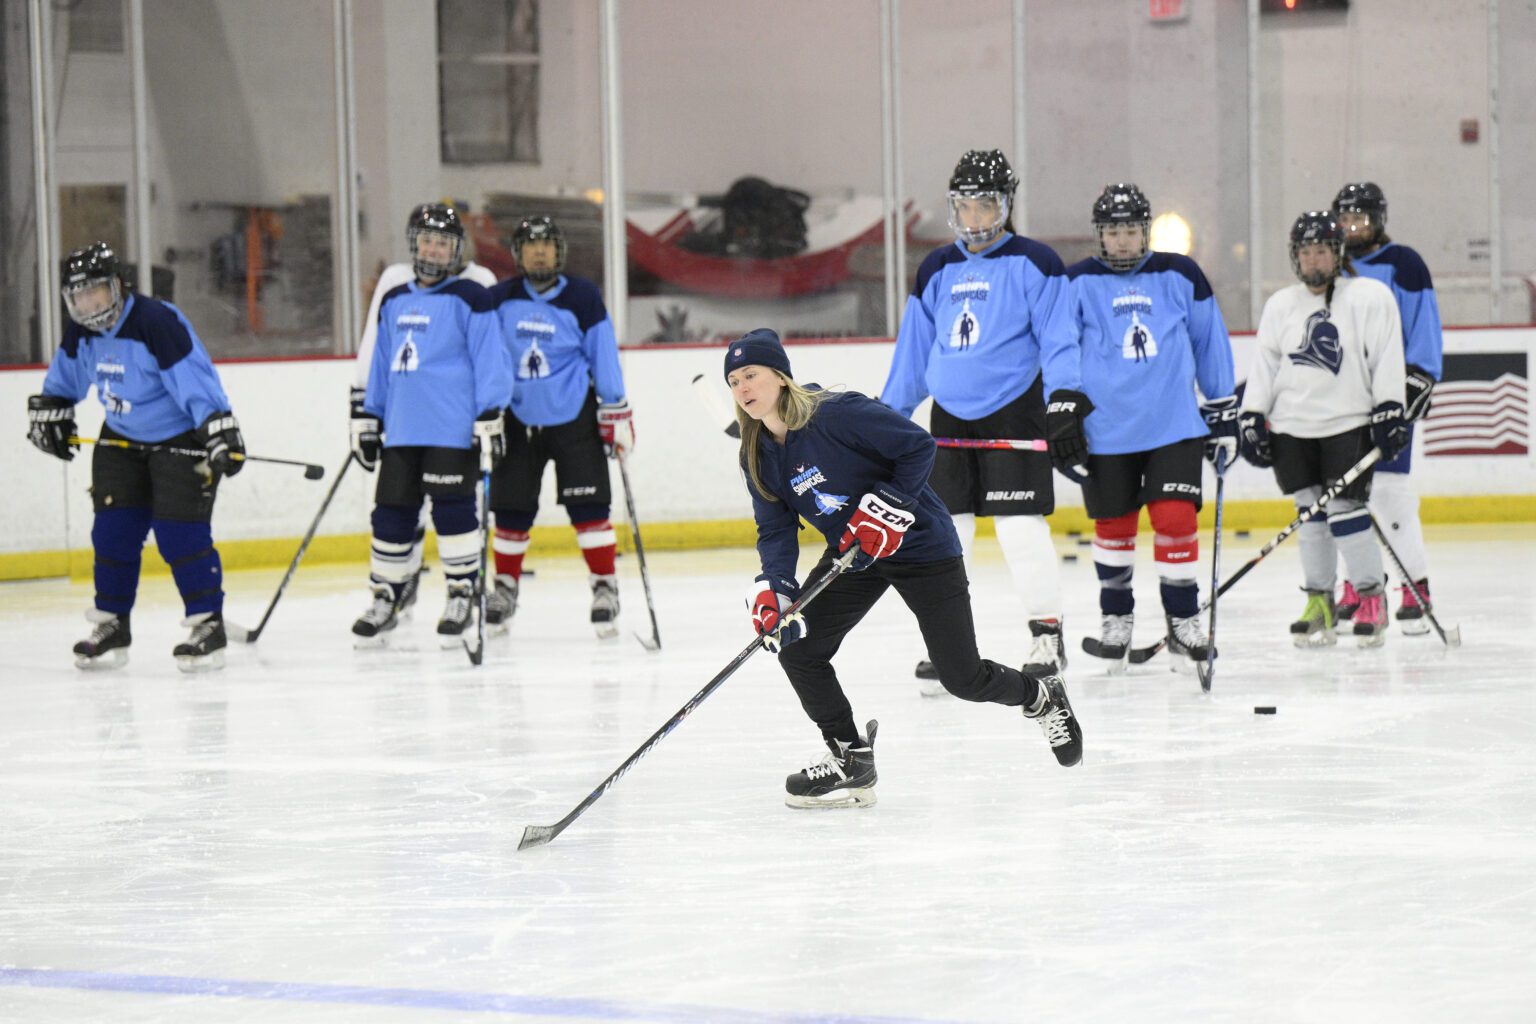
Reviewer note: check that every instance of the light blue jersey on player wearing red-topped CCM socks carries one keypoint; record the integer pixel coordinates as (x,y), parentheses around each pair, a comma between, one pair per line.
(1148,337)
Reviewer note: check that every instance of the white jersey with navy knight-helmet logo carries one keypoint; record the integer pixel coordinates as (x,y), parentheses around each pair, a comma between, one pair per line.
(1322,371)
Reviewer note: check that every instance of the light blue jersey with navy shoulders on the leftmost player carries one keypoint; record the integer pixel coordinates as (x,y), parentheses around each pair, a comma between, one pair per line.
(151,372)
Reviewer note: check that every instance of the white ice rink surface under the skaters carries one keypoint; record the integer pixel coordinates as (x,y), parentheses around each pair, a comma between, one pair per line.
(320,834)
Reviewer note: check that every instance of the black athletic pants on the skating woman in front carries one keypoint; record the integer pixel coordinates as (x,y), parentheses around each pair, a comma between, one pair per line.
(939,595)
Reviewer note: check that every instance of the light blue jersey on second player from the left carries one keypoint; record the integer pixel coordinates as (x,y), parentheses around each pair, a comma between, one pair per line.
(439,363)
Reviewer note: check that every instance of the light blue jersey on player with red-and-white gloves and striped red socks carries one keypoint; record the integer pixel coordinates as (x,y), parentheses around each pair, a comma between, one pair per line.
(561,345)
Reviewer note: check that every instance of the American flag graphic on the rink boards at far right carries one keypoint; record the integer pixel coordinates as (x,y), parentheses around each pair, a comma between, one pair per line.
(1480,406)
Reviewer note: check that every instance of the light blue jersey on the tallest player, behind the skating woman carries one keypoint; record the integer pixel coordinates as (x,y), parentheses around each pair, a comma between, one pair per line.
(979,328)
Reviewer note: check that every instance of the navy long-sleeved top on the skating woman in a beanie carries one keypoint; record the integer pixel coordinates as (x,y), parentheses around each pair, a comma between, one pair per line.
(852,446)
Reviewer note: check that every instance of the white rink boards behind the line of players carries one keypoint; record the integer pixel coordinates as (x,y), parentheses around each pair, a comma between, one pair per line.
(683,471)
